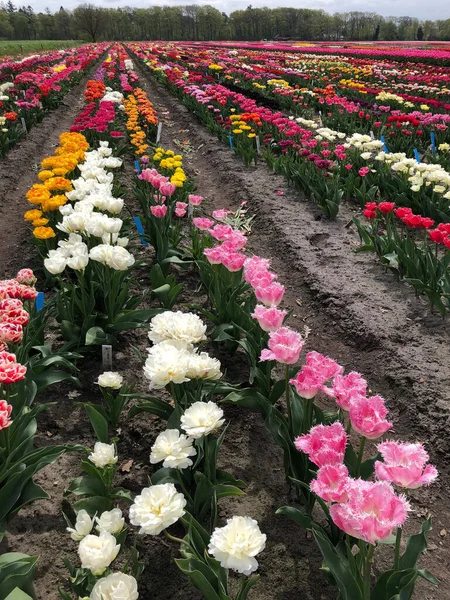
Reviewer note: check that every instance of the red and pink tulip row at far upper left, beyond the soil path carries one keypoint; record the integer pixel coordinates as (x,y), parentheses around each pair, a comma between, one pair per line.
(30,89)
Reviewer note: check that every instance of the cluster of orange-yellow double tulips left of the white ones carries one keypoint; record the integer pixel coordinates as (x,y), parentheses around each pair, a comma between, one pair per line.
(67,155)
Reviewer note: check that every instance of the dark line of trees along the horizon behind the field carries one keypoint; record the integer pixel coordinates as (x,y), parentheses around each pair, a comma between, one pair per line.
(204,23)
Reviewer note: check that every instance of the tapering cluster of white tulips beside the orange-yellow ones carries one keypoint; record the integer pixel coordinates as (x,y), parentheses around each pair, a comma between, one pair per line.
(92,194)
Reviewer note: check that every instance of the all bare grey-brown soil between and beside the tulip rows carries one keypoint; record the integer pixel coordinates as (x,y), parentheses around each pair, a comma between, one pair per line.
(358,314)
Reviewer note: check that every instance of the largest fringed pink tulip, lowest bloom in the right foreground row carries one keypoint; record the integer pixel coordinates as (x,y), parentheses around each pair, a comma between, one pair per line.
(372,512)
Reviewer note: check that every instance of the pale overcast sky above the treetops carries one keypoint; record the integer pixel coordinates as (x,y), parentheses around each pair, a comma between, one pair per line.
(433,9)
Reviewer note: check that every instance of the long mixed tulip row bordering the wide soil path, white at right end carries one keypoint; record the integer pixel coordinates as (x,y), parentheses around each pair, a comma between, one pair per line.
(327,165)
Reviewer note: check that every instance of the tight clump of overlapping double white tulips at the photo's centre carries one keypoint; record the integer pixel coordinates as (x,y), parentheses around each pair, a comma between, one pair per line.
(173,357)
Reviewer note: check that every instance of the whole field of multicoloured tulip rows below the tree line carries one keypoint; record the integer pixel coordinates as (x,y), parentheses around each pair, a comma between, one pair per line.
(186,409)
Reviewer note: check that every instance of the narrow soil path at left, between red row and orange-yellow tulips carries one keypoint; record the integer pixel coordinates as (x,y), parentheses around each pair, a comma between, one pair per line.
(18,172)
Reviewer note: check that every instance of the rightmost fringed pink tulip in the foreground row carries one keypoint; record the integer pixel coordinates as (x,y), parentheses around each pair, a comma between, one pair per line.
(404,465)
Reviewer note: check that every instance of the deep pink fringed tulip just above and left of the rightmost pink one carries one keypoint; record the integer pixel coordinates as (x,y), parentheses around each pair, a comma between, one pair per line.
(368,416)
